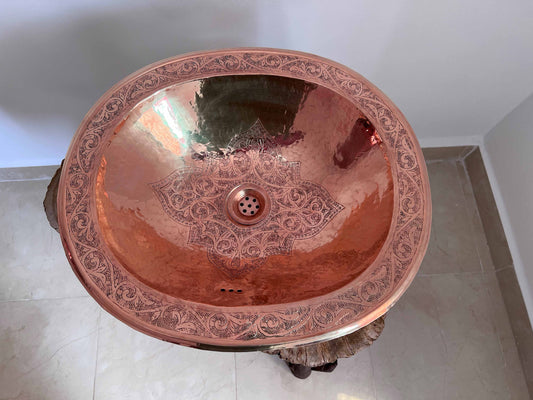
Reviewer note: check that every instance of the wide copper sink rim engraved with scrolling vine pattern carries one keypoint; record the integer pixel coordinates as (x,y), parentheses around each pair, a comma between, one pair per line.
(328,316)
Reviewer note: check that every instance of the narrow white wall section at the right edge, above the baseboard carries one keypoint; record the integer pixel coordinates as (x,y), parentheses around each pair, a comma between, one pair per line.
(509,158)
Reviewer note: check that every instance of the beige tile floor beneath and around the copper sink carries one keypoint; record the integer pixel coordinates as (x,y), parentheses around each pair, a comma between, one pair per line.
(447,338)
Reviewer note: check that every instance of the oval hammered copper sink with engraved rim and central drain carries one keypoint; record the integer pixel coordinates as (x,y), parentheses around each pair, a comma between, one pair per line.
(245,199)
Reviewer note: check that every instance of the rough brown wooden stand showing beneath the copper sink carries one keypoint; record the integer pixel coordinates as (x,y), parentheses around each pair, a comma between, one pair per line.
(301,360)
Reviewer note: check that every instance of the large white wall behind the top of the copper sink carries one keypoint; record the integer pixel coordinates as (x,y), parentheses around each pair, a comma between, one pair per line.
(454,67)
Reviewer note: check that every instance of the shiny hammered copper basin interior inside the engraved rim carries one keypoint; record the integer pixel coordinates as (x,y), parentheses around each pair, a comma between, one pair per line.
(164,183)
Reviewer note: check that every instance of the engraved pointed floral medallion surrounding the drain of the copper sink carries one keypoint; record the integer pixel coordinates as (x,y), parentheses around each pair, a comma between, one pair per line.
(197,198)
